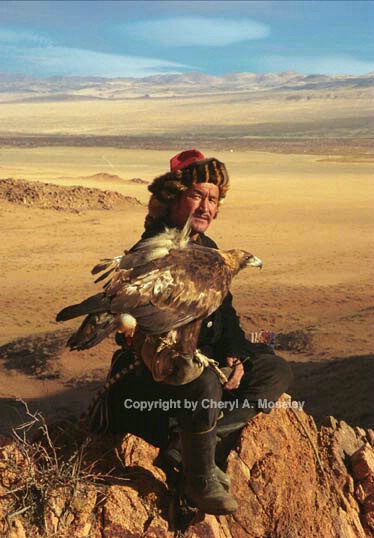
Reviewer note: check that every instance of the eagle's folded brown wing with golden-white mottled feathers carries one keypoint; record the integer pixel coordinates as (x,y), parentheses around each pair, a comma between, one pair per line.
(171,291)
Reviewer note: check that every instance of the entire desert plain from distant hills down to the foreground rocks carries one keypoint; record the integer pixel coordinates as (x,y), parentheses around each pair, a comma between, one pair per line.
(301,198)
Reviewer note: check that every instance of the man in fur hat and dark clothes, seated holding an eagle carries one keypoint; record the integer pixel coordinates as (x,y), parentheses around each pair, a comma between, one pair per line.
(194,188)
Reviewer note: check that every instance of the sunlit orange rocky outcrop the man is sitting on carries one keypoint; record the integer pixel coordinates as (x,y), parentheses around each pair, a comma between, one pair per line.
(290,479)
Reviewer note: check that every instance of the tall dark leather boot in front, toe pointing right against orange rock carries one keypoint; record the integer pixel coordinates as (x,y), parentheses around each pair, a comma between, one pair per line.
(201,485)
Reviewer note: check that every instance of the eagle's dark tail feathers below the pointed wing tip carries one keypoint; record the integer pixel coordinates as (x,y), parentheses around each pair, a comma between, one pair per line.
(93,330)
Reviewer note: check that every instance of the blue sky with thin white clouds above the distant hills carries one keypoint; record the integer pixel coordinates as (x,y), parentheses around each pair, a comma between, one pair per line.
(142,38)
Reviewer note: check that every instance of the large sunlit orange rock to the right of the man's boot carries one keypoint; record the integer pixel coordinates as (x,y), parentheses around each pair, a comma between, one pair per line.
(274,460)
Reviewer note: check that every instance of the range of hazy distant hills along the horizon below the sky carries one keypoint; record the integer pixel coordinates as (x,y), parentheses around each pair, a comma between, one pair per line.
(18,87)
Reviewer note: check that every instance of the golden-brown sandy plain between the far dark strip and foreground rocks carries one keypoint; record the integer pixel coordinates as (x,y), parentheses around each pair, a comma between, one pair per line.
(310,220)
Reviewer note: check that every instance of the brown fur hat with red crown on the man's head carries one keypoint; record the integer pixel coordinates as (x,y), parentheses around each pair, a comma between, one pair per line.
(186,168)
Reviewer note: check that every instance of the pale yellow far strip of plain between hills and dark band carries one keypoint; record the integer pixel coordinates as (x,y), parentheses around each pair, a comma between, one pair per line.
(156,115)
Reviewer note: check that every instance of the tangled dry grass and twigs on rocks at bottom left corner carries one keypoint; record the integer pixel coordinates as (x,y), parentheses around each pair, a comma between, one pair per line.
(47,474)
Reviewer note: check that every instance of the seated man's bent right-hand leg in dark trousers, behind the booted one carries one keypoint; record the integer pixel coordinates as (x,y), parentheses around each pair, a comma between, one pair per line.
(266,376)
